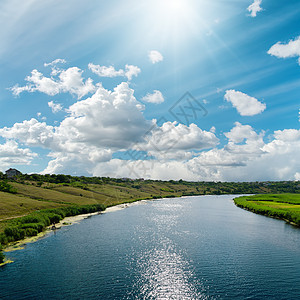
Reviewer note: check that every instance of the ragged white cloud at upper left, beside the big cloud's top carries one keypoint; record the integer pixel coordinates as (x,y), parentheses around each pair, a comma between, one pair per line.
(69,80)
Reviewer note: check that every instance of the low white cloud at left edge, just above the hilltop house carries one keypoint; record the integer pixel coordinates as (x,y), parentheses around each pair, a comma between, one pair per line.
(11,154)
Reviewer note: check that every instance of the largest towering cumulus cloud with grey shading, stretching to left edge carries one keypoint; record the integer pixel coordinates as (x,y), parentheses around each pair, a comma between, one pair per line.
(107,120)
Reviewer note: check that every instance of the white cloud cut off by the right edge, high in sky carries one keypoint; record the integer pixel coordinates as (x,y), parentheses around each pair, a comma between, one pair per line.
(292,49)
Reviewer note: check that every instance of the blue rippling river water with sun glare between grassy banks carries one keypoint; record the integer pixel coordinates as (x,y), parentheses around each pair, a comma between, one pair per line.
(200,247)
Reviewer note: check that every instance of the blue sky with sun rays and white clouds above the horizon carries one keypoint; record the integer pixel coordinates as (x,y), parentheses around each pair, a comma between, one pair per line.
(198,90)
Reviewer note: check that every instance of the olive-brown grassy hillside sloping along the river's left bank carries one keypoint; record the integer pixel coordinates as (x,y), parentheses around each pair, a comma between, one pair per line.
(31,197)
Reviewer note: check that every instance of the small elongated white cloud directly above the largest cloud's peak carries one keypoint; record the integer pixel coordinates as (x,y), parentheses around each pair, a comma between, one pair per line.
(130,71)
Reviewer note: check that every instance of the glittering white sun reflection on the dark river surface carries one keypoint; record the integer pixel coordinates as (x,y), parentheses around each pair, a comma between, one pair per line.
(163,270)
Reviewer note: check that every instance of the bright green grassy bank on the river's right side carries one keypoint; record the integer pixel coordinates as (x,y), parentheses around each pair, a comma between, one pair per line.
(282,206)
